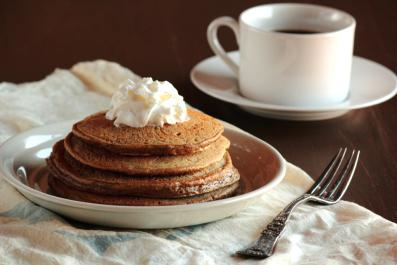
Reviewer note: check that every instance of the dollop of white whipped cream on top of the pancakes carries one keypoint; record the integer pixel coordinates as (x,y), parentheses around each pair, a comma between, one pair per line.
(147,102)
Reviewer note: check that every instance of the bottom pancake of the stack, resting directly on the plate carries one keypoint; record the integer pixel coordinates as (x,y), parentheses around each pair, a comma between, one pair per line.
(65,191)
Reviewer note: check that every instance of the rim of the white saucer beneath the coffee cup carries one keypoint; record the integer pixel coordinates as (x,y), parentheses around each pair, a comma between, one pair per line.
(266,106)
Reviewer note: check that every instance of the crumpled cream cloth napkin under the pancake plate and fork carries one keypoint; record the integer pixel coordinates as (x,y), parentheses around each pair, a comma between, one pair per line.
(345,233)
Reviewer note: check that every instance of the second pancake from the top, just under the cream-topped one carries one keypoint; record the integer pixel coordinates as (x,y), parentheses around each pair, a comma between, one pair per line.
(95,157)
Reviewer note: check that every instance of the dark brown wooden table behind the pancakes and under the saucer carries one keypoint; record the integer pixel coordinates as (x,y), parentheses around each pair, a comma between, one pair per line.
(165,39)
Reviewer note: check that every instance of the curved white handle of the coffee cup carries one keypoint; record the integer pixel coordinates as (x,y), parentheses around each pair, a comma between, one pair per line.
(212,37)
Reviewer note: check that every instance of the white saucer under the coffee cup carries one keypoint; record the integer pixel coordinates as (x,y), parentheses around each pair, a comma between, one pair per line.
(371,84)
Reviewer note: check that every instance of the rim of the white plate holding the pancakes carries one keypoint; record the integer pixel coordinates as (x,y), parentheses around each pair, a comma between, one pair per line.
(22,188)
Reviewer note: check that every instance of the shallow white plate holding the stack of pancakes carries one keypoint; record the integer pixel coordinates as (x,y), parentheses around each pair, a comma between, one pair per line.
(22,163)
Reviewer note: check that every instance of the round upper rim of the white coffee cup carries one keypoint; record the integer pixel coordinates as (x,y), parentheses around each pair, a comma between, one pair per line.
(246,13)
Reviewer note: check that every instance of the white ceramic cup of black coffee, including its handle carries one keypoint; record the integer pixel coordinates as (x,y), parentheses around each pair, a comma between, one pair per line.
(290,69)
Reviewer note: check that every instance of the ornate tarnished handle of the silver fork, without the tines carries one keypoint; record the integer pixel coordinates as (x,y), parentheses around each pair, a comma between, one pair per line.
(269,237)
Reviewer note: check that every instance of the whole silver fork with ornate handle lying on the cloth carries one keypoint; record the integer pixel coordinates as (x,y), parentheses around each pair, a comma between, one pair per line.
(328,189)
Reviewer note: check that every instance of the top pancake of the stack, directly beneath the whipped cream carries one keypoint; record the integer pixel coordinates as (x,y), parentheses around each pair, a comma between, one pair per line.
(183,138)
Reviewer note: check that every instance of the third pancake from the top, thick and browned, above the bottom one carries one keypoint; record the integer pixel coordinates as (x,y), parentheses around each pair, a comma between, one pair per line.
(78,176)
